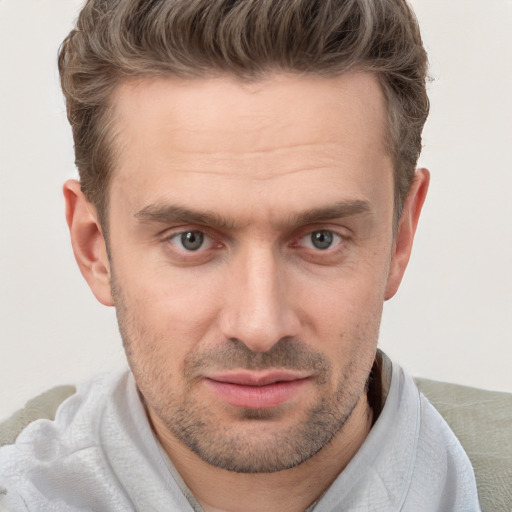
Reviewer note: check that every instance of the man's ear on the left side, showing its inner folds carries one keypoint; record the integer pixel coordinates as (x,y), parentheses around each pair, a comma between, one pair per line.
(88,242)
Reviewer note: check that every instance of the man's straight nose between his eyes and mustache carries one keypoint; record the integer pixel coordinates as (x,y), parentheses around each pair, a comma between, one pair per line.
(258,302)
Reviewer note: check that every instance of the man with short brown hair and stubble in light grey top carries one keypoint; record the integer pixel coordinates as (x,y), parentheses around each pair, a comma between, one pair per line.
(247,201)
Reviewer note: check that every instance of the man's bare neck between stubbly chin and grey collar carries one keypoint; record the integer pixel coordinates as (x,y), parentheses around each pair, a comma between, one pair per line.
(219,490)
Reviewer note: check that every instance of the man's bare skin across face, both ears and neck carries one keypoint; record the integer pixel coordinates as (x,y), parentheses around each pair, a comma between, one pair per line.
(285,189)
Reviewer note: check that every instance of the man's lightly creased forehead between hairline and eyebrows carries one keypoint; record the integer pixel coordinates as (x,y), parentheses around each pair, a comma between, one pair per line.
(284,133)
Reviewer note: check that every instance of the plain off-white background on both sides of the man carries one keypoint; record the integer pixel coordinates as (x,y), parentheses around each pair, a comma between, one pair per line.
(452,318)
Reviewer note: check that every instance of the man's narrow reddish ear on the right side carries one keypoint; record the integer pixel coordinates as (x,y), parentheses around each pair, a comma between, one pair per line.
(407,224)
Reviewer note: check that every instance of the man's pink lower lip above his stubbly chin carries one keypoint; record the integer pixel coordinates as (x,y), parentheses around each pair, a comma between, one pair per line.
(257,397)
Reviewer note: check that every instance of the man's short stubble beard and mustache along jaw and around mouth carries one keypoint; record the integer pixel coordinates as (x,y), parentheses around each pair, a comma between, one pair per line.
(259,447)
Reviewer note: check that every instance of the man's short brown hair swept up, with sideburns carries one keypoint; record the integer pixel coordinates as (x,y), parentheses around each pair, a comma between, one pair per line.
(115,40)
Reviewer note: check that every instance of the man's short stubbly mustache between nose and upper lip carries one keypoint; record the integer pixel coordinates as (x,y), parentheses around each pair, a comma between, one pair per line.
(288,353)
